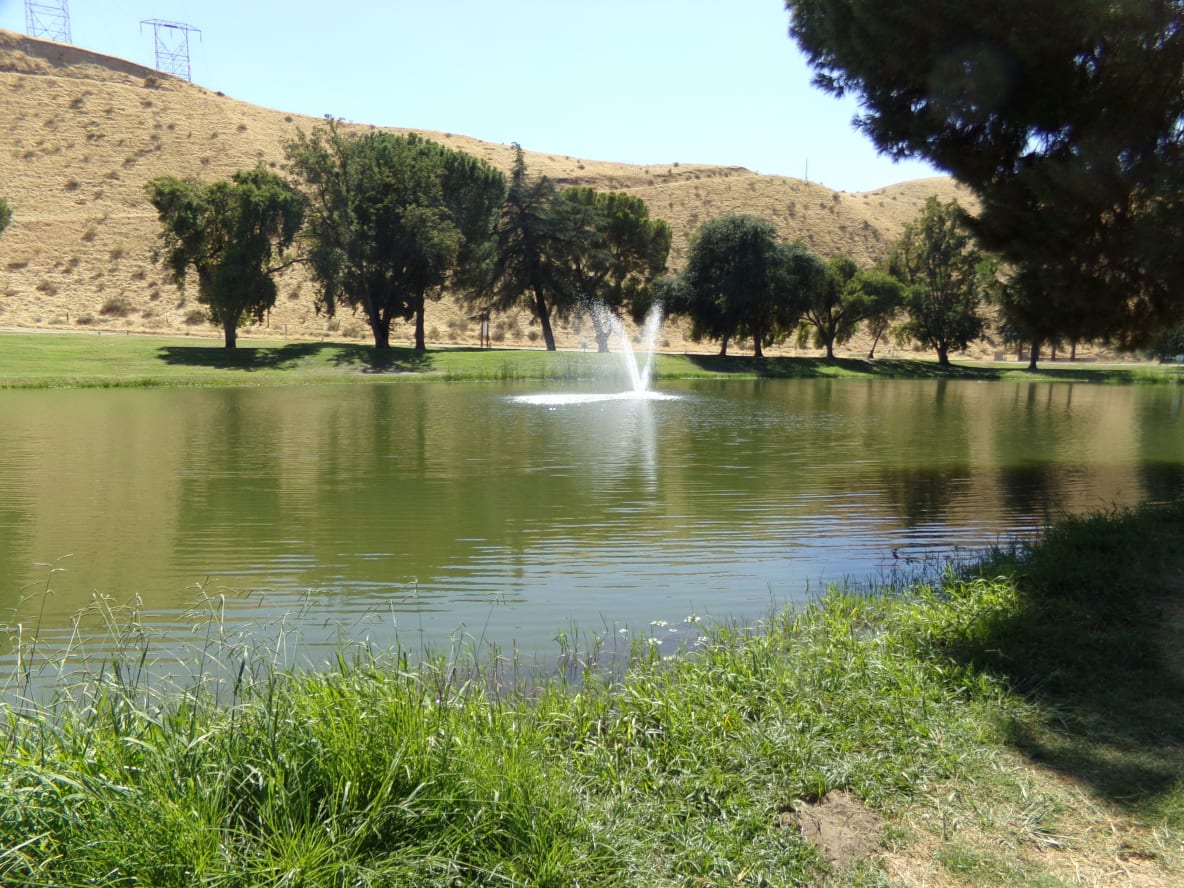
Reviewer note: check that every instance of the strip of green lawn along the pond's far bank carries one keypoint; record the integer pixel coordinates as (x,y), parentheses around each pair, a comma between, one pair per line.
(59,361)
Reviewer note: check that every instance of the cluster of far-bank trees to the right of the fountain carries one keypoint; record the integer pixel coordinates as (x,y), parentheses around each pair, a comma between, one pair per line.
(742,284)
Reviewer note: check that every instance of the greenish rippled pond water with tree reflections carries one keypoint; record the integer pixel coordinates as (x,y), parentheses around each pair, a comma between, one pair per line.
(417,514)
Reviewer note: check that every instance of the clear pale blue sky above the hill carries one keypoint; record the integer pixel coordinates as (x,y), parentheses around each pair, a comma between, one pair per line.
(634,81)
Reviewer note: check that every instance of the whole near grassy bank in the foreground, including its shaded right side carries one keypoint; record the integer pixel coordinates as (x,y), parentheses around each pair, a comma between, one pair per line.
(1021,726)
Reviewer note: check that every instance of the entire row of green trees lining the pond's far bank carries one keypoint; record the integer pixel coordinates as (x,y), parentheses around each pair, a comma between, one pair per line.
(387,223)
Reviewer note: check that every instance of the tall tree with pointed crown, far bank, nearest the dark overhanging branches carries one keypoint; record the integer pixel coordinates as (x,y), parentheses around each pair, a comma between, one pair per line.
(945,279)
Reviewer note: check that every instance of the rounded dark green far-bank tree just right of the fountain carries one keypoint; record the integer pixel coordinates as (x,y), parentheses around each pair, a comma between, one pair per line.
(741,282)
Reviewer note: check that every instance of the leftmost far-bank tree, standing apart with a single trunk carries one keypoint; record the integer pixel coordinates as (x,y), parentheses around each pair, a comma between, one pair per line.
(229,233)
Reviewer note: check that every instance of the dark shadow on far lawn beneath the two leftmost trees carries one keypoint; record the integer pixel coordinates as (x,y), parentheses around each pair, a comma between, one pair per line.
(365,359)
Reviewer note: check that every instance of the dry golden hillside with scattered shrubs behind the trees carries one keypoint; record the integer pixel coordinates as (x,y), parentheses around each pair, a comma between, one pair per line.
(82,133)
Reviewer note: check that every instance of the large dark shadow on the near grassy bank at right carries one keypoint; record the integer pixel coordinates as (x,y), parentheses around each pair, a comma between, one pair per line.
(1098,646)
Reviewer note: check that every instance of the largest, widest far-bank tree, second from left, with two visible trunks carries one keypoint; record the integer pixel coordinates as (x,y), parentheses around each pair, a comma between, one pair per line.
(392,220)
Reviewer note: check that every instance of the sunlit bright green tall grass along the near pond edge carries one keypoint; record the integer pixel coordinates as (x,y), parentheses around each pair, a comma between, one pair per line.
(383,773)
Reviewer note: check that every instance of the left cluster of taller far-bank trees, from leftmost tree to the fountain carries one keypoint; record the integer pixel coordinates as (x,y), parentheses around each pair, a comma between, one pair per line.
(387,223)
